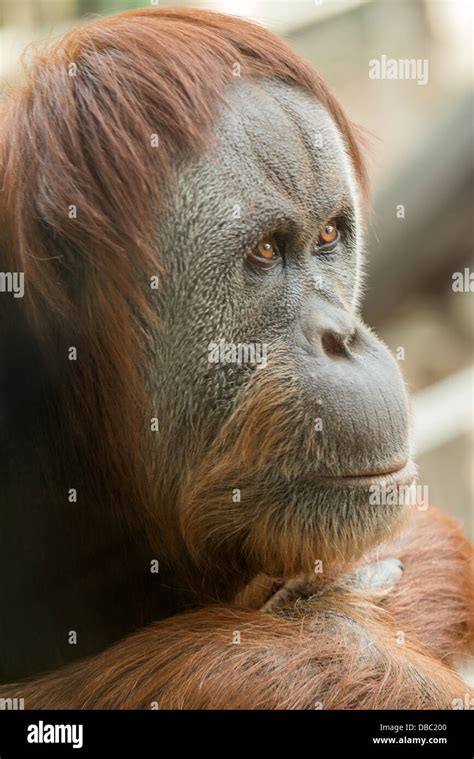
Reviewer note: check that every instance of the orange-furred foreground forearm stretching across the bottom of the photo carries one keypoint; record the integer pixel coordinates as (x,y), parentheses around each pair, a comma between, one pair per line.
(341,657)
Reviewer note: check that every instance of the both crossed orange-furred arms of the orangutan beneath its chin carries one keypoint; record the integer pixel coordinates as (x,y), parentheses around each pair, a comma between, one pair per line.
(342,649)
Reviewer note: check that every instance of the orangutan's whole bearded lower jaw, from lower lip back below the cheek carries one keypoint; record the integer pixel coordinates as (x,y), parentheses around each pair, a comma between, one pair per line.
(282,525)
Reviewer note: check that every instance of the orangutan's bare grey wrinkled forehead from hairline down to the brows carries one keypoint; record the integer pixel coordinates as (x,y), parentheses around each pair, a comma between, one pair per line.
(275,158)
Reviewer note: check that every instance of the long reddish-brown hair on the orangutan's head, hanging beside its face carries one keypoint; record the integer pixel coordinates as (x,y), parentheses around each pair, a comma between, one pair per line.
(79,133)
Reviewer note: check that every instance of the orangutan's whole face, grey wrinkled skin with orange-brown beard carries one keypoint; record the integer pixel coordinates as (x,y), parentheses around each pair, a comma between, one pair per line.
(277,169)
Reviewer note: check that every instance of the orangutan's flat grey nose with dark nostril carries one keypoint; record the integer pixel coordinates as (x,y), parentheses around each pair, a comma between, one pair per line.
(331,329)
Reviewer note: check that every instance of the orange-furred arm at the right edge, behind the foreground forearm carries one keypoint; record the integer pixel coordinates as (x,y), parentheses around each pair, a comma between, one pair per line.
(432,603)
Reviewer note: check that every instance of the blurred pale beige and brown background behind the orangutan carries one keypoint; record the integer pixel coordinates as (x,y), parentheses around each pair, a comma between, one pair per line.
(420,151)
